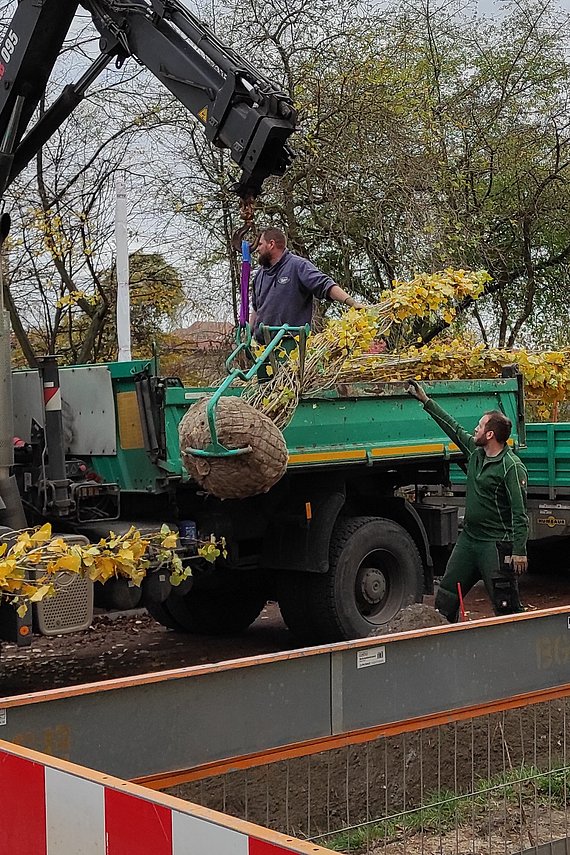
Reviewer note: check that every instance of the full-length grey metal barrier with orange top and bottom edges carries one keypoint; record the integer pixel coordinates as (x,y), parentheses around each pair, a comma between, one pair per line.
(155,724)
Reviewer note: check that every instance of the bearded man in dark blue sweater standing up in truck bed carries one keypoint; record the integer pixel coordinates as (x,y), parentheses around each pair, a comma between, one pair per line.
(285,285)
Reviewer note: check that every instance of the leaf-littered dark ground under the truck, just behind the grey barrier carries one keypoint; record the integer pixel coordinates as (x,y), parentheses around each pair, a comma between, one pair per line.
(128,645)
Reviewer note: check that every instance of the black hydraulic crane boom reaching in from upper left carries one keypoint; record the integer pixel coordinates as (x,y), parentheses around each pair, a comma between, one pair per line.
(241,109)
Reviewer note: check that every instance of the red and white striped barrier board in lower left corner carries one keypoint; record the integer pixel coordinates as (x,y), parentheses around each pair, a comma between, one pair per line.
(51,807)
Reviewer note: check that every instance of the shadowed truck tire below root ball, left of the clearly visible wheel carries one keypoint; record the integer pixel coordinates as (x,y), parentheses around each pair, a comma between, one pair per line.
(212,613)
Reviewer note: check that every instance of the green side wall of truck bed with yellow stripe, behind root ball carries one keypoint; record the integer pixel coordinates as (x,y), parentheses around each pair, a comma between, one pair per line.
(366,424)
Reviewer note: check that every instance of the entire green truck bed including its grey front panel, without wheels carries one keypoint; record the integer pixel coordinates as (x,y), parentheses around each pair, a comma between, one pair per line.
(368,424)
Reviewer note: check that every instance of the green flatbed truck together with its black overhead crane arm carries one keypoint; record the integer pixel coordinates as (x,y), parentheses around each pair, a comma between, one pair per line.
(347,537)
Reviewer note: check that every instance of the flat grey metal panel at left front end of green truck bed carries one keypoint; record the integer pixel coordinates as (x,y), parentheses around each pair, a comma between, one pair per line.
(88,408)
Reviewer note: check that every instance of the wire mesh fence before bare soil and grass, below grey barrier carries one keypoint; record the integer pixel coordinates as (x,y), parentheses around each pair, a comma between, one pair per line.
(495,782)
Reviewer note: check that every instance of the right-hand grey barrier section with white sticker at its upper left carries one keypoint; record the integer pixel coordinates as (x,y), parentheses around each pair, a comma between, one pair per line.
(421,676)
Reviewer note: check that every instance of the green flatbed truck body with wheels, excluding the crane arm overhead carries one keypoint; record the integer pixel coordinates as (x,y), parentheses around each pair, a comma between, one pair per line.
(351,534)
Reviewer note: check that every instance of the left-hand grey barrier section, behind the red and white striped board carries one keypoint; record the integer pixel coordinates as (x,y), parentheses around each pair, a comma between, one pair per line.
(176,724)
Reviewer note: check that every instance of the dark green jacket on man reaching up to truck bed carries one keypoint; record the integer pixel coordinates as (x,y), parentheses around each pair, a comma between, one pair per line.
(495,500)
